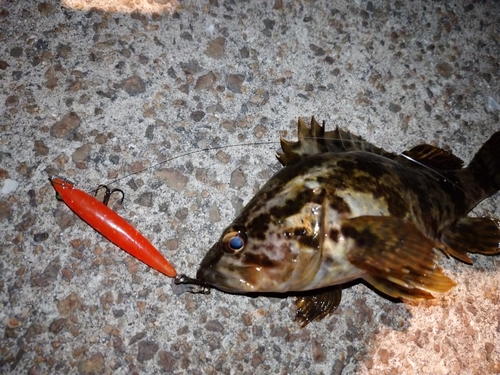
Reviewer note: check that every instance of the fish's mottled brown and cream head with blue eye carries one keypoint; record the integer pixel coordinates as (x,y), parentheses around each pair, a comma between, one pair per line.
(274,245)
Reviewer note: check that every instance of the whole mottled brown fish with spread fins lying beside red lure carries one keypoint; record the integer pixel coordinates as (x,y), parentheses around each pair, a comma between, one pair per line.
(344,209)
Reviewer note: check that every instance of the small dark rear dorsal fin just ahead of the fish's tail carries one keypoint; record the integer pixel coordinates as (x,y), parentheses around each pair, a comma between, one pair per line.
(432,157)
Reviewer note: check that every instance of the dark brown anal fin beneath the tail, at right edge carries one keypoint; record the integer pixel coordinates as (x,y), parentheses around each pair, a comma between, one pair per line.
(479,235)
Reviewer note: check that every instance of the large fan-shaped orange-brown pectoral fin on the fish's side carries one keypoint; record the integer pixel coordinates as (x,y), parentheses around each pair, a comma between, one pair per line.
(397,258)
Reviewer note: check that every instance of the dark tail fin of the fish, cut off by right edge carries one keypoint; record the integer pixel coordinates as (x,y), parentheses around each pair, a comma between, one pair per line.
(486,165)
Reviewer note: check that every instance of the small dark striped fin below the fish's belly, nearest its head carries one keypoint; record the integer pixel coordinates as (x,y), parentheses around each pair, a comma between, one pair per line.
(317,306)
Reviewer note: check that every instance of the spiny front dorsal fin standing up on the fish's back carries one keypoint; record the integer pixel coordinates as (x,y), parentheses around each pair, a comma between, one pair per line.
(314,140)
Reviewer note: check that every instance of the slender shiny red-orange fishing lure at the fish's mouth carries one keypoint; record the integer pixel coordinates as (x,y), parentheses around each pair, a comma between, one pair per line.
(111,225)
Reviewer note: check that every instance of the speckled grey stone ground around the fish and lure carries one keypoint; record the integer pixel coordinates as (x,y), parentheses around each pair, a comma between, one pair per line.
(93,96)
